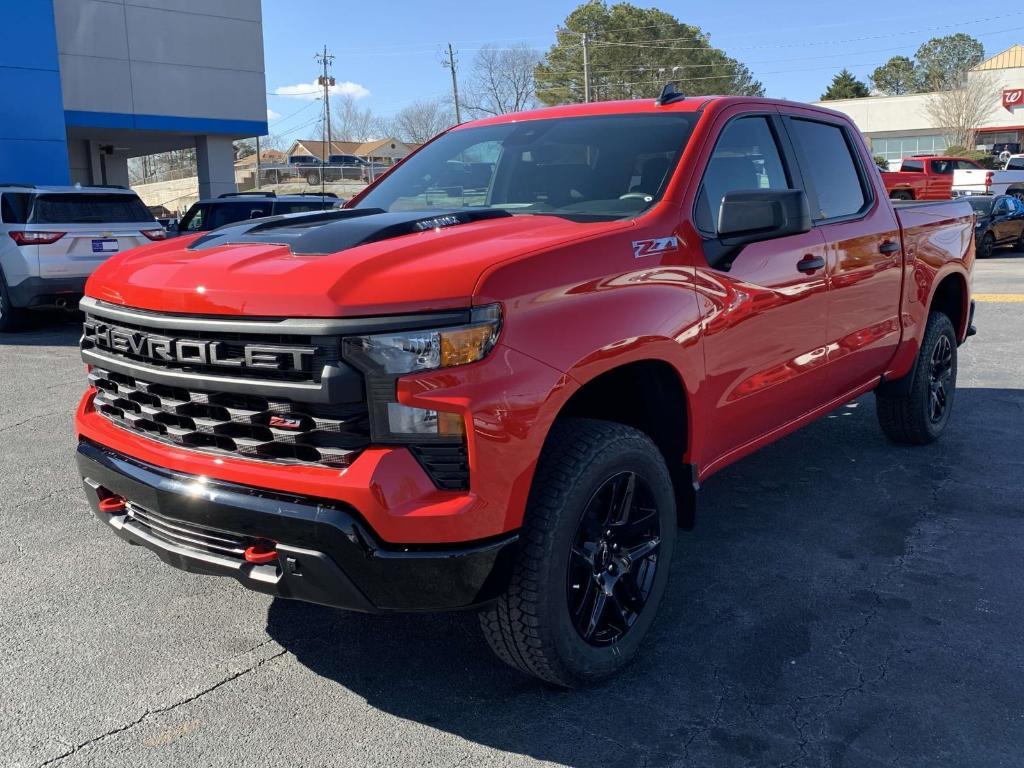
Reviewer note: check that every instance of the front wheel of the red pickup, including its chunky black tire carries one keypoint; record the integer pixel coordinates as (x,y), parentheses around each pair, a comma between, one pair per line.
(596,547)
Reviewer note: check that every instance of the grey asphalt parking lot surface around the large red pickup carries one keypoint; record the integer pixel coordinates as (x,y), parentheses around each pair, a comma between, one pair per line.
(842,603)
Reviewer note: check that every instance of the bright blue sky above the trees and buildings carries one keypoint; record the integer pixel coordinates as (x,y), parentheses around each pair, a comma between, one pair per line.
(389,55)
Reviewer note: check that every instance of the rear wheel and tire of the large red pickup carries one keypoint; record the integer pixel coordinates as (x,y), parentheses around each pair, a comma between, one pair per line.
(920,417)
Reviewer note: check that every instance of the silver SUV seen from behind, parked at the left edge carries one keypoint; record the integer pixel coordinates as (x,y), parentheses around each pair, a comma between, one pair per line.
(53,238)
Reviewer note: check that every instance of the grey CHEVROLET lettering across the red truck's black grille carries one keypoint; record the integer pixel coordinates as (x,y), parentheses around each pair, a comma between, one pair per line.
(196,352)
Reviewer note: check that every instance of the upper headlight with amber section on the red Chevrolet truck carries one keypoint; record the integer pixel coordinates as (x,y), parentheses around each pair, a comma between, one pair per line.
(426,351)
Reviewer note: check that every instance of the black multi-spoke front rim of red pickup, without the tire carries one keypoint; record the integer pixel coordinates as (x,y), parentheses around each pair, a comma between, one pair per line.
(614,560)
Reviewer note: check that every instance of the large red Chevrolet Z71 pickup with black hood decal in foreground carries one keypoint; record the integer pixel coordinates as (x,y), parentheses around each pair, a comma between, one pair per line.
(504,398)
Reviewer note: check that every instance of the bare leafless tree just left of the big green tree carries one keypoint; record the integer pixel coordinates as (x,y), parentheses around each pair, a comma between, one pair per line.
(502,81)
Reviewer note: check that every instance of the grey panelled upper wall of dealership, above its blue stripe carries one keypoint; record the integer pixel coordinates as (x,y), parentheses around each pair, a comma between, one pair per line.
(201,59)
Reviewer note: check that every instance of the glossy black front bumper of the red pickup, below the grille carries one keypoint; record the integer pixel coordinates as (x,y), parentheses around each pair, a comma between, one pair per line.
(325,553)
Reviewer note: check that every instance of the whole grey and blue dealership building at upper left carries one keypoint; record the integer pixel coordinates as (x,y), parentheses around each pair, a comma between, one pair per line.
(88,84)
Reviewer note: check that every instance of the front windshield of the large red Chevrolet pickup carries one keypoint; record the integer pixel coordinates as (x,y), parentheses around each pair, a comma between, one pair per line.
(593,168)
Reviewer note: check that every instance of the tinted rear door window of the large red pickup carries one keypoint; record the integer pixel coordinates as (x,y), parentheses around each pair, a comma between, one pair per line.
(831,168)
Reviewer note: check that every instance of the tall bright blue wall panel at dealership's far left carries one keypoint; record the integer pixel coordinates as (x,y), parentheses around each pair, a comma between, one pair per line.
(33,142)
